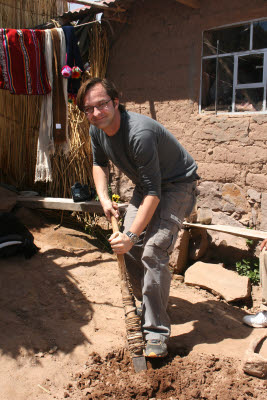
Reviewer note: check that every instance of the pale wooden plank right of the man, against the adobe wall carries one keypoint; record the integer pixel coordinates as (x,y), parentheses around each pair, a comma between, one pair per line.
(232,230)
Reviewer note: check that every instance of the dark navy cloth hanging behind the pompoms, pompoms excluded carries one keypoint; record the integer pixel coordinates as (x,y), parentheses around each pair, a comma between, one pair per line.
(73,58)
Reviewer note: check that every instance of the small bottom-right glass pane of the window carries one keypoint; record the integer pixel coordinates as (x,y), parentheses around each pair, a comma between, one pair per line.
(249,99)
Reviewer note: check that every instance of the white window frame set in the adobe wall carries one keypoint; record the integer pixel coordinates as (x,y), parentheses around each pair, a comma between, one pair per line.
(236,55)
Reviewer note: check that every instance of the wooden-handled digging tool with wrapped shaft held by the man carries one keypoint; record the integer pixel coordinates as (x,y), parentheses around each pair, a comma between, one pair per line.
(132,320)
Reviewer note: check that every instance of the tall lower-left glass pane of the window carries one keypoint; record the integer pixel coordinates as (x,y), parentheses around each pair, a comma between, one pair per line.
(224,84)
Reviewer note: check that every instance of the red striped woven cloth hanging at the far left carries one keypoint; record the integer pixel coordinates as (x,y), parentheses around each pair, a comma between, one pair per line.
(22,62)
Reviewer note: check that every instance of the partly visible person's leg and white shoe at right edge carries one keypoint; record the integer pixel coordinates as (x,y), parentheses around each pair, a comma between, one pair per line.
(259,320)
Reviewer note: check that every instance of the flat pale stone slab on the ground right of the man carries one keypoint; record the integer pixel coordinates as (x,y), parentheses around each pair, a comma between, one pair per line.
(214,277)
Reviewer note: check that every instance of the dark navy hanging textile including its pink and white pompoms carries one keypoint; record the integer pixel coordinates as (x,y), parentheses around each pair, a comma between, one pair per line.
(74,64)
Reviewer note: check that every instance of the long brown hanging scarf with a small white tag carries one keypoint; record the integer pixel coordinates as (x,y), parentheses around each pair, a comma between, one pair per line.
(60,103)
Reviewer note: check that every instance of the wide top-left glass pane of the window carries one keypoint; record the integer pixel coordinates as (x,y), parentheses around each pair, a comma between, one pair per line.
(232,39)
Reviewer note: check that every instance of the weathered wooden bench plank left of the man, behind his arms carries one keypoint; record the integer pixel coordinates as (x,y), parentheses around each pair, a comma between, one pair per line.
(54,203)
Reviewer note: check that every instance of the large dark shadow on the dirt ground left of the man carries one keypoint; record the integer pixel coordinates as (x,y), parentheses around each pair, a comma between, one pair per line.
(41,305)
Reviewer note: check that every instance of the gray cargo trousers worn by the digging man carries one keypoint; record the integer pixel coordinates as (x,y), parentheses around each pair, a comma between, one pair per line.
(147,262)
